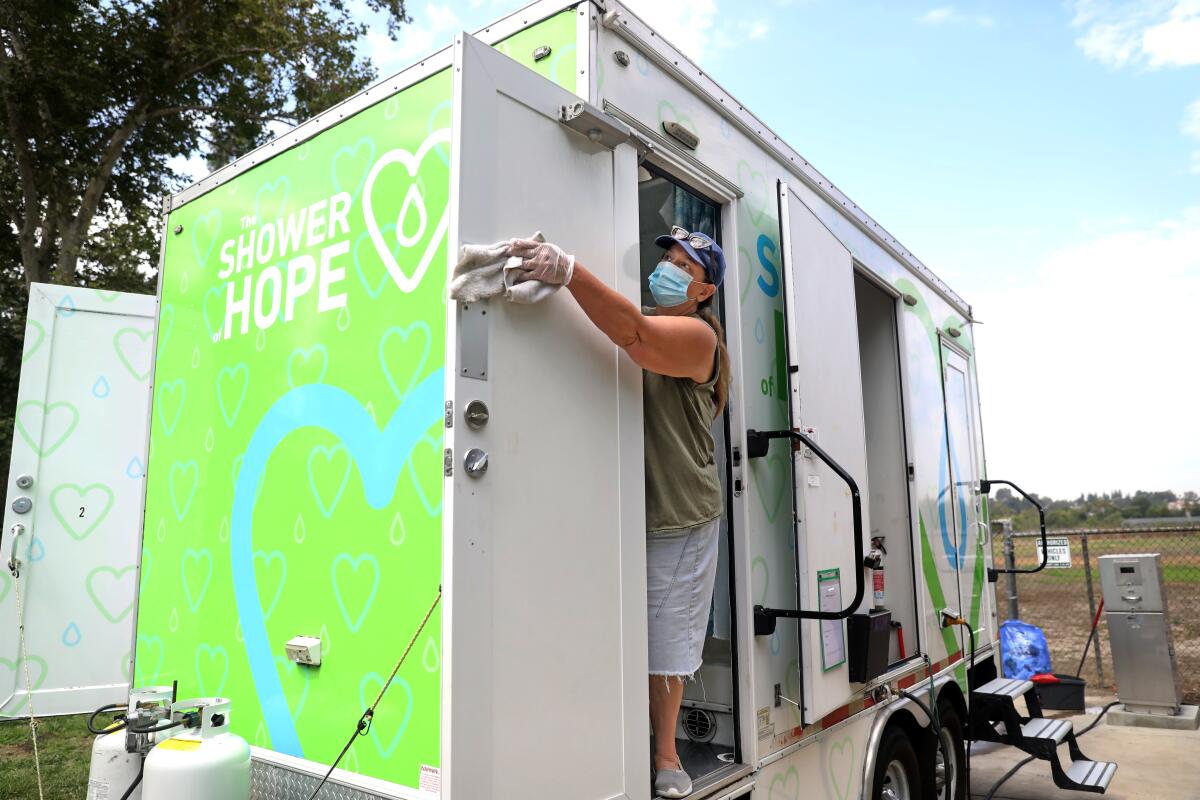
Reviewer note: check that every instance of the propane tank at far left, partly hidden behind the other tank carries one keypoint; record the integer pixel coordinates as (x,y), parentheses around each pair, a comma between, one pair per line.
(117,756)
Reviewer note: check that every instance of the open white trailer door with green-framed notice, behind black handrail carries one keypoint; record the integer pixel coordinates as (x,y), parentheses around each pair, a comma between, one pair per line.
(826,401)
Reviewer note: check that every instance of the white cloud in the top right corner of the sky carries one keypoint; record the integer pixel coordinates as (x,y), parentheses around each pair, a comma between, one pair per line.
(1139,33)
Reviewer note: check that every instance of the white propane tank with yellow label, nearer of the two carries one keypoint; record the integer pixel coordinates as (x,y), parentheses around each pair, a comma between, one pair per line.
(202,763)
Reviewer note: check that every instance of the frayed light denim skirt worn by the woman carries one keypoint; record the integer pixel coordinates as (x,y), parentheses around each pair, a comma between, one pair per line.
(681,569)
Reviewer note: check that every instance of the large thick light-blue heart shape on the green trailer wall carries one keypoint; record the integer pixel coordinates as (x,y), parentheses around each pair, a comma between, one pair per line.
(381,458)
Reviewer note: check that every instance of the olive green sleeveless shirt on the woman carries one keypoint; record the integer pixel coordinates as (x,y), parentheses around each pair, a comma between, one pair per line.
(682,486)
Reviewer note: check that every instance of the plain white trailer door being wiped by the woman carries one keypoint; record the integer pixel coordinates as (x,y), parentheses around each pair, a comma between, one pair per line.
(545,688)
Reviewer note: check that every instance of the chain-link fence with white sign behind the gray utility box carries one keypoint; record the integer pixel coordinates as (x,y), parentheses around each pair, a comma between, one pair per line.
(1065,600)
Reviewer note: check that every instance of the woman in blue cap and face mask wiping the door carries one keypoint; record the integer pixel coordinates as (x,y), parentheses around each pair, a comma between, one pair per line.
(680,346)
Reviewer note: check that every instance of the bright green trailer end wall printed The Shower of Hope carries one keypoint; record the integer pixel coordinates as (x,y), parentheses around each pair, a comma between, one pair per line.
(295,484)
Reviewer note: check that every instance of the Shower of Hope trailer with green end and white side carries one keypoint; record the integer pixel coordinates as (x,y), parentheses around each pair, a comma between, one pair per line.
(322,416)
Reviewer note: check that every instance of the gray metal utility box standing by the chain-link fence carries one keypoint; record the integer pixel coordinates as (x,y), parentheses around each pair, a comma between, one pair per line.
(1141,634)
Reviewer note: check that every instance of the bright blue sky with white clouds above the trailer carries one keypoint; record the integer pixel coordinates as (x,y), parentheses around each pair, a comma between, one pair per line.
(1041,157)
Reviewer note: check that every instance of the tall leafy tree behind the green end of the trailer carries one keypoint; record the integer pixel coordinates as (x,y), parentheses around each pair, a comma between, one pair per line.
(97,97)
